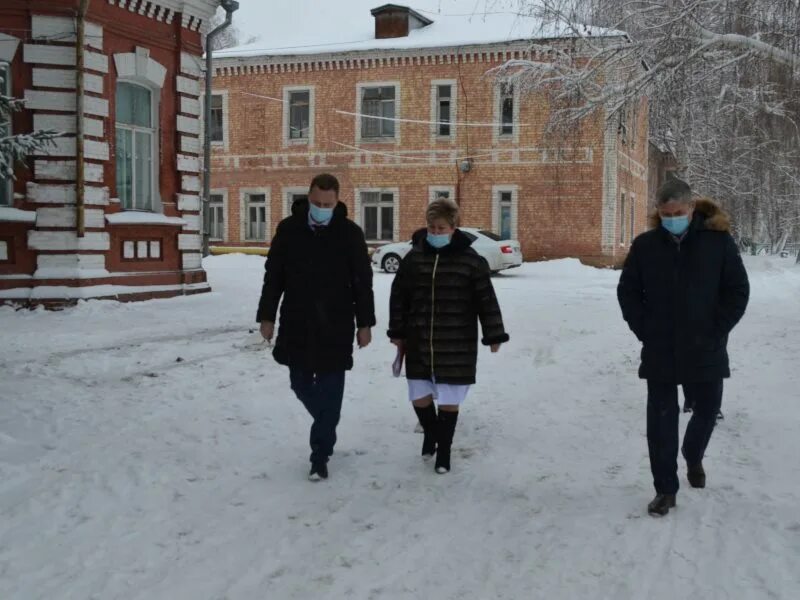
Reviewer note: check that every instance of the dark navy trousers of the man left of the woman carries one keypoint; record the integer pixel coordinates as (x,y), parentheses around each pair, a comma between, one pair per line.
(321,394)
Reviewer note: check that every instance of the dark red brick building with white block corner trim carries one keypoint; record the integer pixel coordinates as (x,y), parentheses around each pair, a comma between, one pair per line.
(130,230)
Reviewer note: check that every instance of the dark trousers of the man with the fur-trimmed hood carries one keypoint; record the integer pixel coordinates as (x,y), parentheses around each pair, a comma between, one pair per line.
(662,428)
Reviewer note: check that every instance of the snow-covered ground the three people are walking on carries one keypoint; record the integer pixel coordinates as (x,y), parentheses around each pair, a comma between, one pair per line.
(147,453)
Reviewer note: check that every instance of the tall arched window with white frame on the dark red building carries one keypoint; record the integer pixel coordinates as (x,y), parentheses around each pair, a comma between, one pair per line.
(135,147)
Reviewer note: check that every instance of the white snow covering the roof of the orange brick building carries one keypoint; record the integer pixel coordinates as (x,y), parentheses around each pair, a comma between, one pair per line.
(305,27)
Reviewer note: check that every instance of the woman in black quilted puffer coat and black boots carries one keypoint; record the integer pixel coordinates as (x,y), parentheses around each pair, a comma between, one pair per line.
(441,291)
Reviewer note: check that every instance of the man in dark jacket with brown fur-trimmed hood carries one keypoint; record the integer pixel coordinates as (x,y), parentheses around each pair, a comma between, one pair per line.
(682,290)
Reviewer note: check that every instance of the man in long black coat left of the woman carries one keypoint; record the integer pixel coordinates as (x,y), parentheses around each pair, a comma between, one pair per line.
(318,262)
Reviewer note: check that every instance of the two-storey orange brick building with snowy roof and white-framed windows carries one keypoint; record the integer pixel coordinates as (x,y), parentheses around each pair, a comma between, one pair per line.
(407,116)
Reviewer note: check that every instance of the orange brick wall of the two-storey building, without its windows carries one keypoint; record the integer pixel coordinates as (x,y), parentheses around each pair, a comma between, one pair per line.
(559,212)
